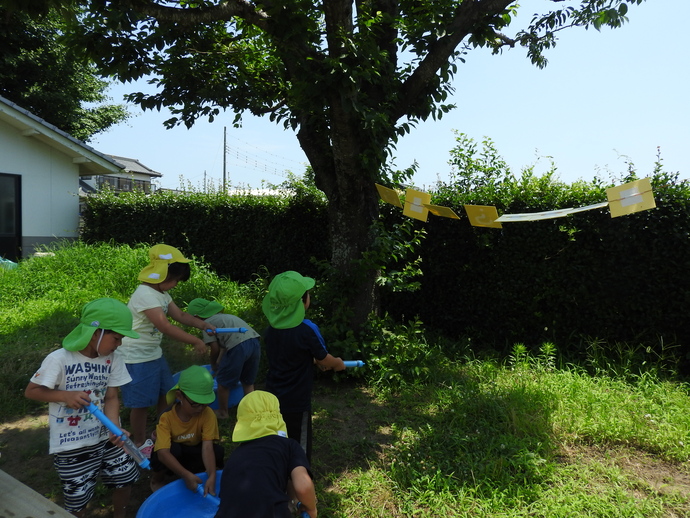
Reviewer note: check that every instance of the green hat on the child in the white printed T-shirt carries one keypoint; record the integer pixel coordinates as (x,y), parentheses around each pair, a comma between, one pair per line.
(105,313)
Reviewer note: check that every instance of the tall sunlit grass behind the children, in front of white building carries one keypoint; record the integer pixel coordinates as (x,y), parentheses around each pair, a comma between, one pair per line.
(41,300)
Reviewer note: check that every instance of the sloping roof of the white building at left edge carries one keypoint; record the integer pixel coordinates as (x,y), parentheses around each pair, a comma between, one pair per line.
(89,160)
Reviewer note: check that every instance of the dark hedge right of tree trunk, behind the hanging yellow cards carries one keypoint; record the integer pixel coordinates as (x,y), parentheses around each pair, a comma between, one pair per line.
(564,280)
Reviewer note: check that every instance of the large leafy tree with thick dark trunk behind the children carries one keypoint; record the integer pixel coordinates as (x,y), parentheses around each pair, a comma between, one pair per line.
(348,77)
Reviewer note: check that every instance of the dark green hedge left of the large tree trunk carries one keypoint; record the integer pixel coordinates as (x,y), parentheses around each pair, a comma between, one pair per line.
(240,235)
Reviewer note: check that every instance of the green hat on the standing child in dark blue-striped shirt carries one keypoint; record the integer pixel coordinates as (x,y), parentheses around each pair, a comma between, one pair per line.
(283,304)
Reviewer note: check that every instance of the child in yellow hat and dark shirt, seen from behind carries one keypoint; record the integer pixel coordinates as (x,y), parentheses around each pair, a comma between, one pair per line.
(267,470)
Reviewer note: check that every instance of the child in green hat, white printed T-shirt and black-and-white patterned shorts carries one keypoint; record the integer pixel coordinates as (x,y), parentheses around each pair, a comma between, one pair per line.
(86,370)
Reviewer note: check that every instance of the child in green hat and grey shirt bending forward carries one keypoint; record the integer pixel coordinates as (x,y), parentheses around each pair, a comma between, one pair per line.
(234,356)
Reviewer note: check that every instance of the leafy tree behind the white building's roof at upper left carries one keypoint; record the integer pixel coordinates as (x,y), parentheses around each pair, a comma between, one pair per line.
(40,74)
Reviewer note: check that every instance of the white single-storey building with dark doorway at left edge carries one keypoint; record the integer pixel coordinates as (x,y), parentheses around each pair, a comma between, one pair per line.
(40,168)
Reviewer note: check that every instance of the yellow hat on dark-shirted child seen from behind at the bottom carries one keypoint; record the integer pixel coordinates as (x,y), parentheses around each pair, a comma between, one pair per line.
(258,415)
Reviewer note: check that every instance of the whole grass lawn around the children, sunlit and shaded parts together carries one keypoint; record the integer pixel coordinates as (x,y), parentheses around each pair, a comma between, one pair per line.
(519,438)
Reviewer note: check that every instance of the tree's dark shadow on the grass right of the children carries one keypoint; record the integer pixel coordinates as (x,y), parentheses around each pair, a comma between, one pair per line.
(461,434)
